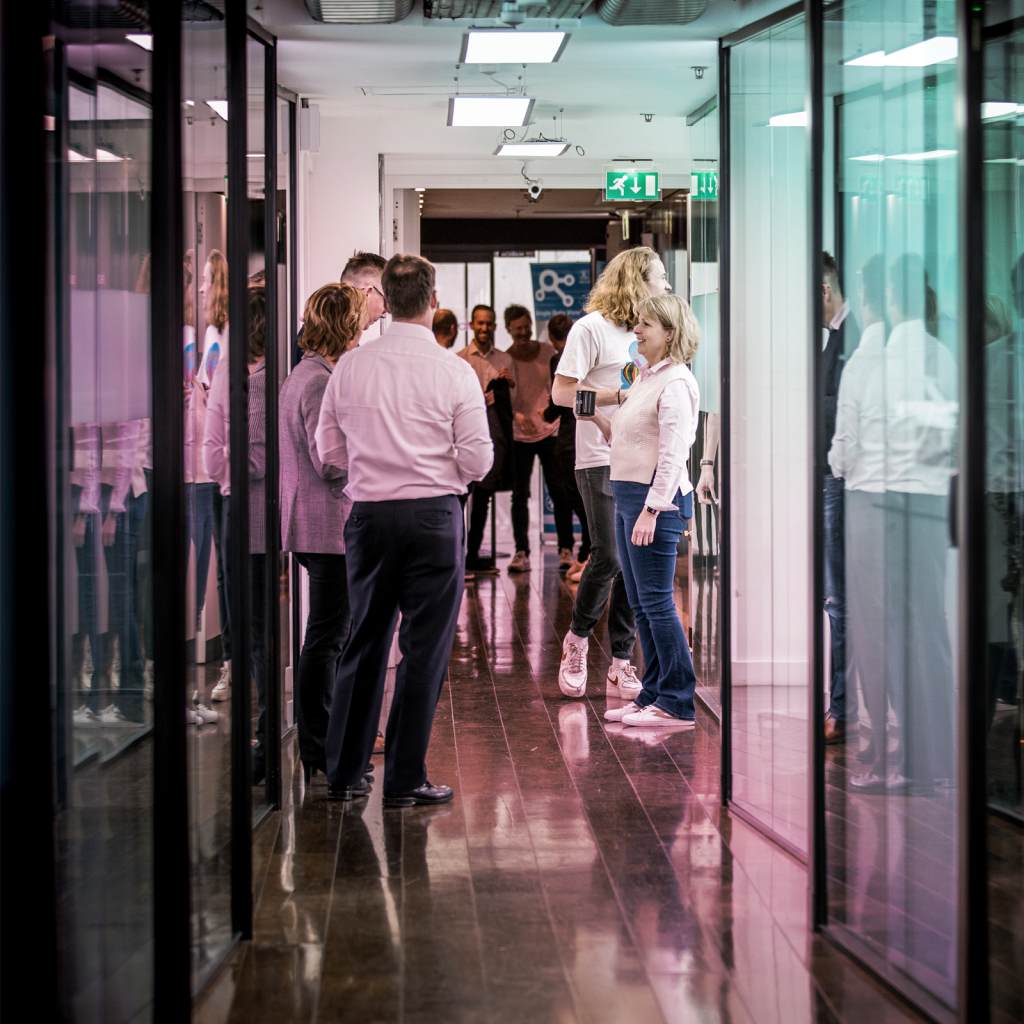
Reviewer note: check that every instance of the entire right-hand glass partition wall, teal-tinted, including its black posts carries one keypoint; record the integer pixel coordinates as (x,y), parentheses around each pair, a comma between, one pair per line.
(871,533)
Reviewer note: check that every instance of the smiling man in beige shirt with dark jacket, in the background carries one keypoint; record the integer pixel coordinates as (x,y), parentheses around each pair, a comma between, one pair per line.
(491,366)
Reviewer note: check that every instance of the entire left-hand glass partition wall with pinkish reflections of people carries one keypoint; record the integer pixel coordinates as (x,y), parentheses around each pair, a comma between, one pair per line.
(154,813)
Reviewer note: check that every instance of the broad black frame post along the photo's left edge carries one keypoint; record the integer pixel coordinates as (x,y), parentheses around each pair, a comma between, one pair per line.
(26,763)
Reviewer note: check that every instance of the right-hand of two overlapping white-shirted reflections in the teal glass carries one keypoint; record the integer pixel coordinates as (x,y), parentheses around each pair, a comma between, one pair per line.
(920,391)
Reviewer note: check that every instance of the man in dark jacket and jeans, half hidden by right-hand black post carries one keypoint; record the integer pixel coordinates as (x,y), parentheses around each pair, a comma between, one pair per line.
(840,337)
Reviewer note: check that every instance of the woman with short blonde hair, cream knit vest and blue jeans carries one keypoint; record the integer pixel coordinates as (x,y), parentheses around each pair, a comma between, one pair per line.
(651,439)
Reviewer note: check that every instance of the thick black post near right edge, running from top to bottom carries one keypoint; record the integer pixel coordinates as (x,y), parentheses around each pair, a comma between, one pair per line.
(973,985)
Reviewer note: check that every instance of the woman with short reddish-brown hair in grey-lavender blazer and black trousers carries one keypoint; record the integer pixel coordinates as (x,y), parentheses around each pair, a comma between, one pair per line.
(314,508)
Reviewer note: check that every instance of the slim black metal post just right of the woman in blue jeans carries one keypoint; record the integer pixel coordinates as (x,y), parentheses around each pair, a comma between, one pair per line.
(726,441)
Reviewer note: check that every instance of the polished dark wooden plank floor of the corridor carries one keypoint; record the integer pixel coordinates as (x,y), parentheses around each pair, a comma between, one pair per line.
(584,873)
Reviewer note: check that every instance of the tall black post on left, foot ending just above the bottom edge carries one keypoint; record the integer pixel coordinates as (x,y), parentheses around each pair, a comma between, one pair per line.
(240,596)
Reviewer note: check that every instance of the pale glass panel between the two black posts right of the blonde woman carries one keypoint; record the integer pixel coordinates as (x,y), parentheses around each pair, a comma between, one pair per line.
(769,441)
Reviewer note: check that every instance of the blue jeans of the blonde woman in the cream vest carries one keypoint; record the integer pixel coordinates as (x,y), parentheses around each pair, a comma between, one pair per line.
(669,680)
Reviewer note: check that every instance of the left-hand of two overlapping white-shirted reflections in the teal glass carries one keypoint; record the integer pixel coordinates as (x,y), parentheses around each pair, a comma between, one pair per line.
(858,457)
